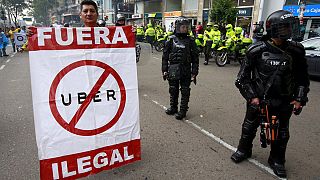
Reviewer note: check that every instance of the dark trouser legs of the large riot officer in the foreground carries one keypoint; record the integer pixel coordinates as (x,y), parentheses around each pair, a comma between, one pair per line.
(251,122)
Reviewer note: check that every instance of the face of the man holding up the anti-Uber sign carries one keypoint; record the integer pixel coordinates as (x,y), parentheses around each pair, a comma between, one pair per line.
(89,15)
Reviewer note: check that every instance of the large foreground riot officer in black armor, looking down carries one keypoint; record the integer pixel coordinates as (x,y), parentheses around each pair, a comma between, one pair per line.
(280,79)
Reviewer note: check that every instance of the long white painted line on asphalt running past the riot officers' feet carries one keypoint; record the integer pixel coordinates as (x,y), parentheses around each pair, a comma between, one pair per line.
(220,141)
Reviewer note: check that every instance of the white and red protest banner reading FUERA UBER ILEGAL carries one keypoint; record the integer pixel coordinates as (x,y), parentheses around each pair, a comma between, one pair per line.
(85,99)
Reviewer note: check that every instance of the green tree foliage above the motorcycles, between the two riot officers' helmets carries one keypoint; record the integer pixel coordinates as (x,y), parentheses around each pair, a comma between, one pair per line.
(223,12)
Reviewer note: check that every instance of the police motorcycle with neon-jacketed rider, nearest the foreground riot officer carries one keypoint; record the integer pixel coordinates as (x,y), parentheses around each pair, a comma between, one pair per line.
(234,49)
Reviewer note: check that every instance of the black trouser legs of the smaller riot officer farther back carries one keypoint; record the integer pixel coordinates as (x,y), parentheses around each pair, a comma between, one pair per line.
(184,84)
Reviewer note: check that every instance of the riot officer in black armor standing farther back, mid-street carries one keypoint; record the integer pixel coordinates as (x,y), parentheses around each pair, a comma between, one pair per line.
(180,65)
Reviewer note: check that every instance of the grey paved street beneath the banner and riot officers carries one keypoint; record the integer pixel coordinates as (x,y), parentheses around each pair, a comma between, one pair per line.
(197,148)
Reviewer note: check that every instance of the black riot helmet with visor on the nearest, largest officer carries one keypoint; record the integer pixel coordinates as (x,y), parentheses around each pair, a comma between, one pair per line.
(281,24)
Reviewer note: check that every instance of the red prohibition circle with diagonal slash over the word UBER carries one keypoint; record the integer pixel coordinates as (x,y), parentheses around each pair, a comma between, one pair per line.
(71,126)
